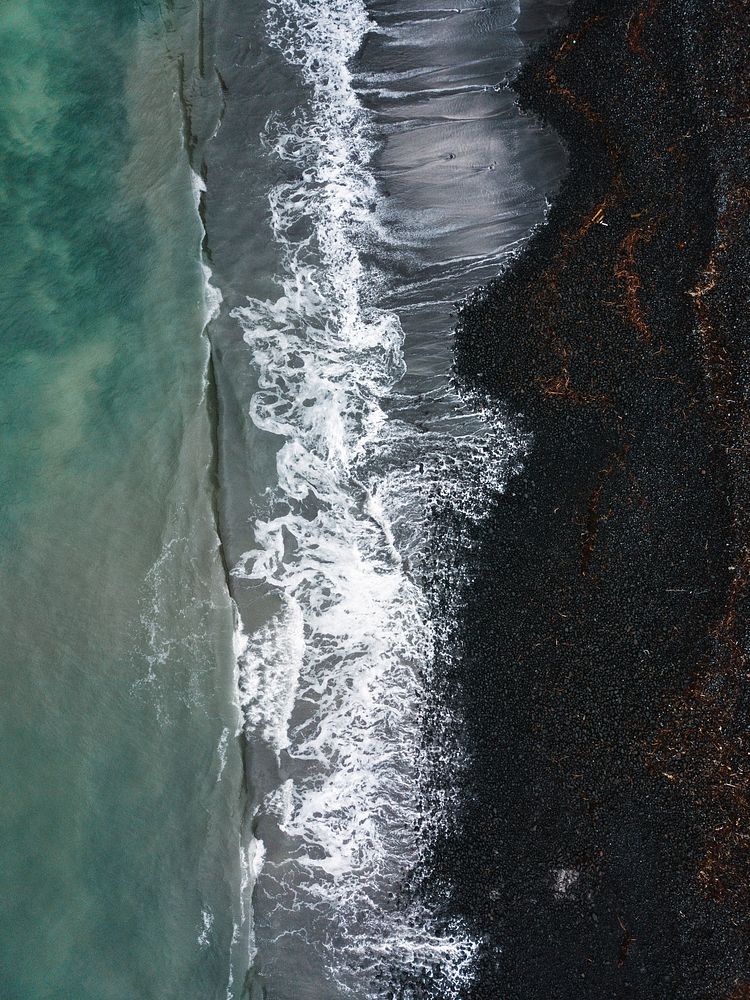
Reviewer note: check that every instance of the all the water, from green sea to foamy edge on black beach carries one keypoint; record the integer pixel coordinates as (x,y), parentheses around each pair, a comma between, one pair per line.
(236,469)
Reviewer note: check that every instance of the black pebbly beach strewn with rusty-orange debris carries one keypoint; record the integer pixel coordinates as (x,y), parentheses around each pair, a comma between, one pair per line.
(606,823)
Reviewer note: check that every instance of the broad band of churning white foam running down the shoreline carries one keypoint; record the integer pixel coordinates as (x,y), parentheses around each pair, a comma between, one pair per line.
(336,682)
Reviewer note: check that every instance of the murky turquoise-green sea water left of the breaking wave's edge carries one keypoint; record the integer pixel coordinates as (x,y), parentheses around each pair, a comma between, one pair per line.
(114,621)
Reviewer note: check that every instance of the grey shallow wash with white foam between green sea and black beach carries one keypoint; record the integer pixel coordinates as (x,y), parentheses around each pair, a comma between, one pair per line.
(369,171)
